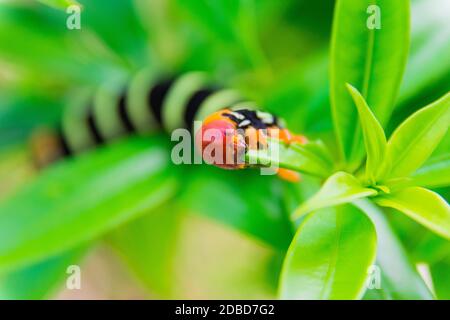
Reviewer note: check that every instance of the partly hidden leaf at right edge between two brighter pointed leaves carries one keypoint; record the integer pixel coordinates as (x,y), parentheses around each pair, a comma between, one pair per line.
(435,173)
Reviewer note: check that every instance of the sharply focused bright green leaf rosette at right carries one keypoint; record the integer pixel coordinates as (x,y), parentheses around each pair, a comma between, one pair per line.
(389,165)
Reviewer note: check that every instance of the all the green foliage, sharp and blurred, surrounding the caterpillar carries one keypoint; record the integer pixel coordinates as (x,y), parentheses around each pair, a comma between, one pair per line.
(329,229)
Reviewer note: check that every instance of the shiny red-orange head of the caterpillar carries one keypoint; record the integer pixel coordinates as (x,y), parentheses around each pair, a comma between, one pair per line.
(220,142)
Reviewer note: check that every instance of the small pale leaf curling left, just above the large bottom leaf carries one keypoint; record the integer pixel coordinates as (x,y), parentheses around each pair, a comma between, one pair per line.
(338,189)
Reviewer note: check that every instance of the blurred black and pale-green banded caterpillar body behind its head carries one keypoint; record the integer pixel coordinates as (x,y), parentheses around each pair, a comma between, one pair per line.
(144,105)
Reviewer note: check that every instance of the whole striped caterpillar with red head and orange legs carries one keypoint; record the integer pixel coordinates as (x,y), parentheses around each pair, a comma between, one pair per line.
(148,104)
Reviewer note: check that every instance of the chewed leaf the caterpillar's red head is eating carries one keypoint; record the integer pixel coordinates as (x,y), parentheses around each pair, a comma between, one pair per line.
(311,158)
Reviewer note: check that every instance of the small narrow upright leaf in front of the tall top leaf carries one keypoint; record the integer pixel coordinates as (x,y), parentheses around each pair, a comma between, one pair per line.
(373,133)
